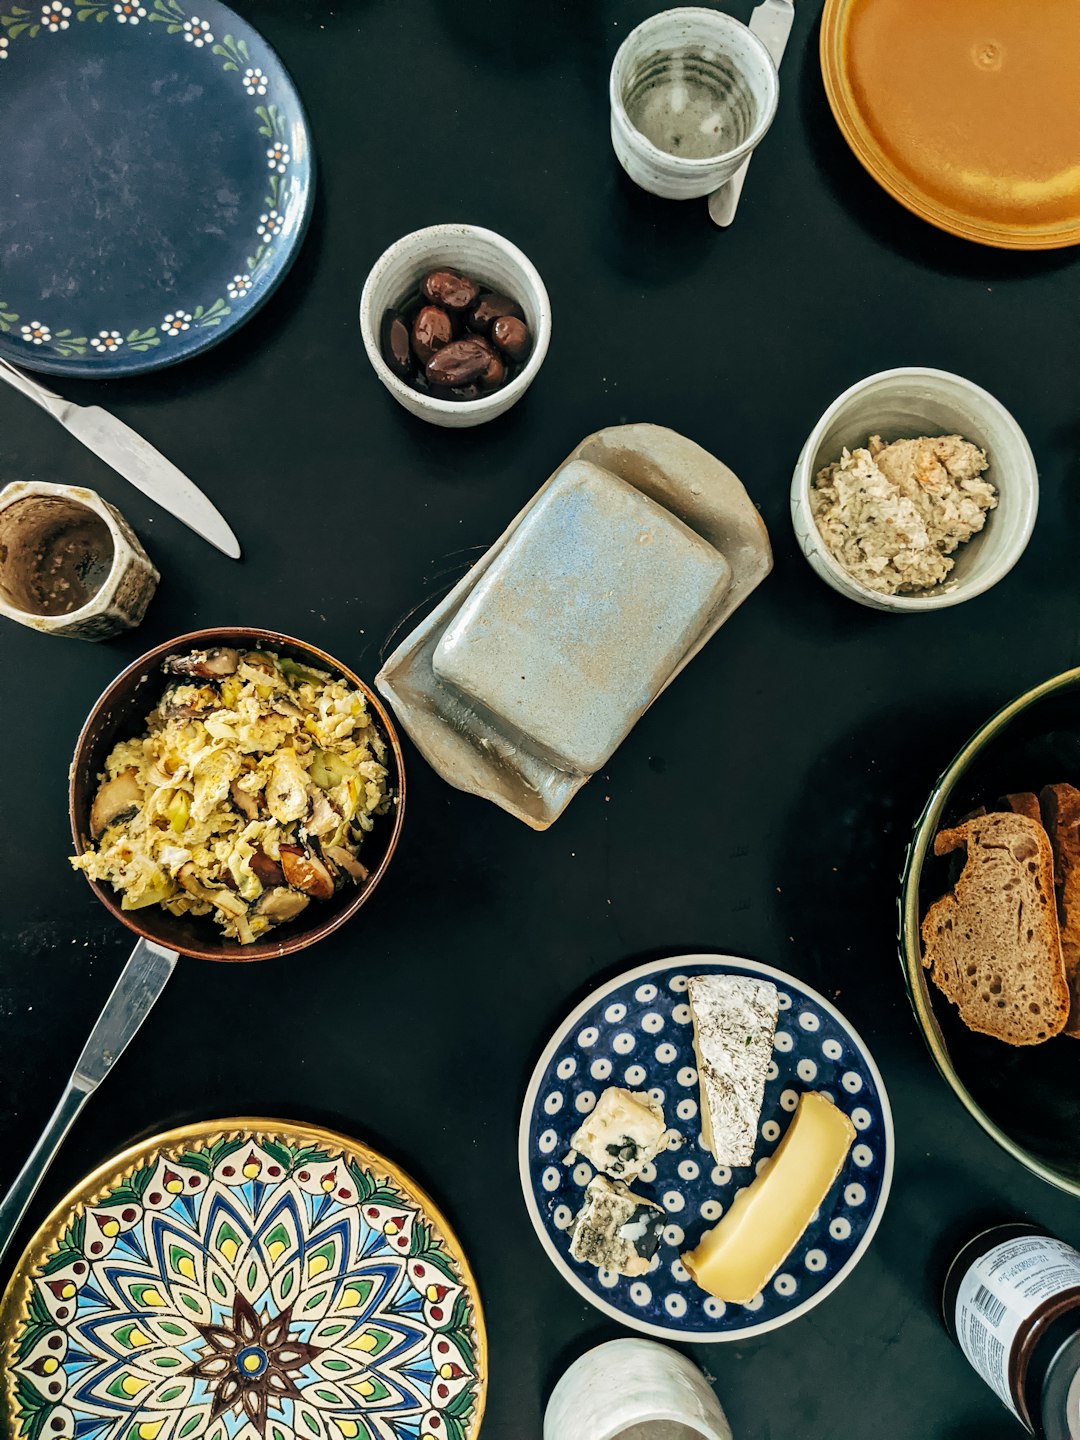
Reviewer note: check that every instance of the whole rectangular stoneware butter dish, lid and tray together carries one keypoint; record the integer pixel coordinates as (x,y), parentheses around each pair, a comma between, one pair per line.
(597,620)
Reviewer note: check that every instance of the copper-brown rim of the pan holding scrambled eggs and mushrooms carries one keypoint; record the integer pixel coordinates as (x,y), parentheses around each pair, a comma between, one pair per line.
(293,941)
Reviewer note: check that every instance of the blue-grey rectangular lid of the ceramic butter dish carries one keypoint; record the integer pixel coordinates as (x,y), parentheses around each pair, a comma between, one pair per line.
(584,616)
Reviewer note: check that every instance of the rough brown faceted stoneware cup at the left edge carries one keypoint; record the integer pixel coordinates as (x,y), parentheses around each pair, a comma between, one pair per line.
(70,562)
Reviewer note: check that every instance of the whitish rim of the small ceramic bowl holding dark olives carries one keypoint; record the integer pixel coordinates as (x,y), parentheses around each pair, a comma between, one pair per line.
(498,401)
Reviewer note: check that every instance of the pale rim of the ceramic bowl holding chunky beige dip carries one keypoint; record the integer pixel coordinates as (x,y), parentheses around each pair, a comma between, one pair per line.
(938,600)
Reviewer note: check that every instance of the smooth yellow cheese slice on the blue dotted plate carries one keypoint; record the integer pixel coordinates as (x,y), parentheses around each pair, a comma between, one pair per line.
(738,1258)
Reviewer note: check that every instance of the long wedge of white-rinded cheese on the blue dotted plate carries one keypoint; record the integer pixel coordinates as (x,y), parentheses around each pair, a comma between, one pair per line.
(735,1022)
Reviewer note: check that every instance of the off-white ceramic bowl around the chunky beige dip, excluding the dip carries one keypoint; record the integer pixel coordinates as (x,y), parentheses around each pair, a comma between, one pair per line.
(909,404)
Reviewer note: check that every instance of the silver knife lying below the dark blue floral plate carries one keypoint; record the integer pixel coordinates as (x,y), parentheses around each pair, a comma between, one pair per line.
(133,459)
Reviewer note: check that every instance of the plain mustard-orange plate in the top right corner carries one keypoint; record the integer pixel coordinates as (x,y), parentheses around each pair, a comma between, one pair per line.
(966,112)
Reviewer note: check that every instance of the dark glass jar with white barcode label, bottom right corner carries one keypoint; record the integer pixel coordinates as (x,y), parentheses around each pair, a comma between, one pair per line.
(1013,1305)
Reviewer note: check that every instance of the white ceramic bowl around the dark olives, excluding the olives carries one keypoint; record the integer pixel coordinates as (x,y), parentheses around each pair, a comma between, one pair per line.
(485,257)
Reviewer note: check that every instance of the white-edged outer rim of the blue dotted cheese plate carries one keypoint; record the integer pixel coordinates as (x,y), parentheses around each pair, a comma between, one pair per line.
(673,1333)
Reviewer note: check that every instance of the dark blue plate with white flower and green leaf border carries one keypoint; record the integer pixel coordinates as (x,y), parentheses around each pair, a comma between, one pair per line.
(158,178)
